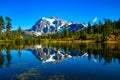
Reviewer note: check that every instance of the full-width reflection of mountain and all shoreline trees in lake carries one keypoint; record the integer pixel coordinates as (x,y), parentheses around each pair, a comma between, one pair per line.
(55,53)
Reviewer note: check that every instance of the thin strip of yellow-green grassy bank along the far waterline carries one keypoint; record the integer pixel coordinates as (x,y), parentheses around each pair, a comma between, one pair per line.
(45,41)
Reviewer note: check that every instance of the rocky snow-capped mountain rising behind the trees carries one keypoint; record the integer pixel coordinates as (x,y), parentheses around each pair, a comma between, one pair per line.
(53,25)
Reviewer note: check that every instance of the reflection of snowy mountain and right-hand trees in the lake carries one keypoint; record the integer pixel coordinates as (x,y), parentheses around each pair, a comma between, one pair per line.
(55,54)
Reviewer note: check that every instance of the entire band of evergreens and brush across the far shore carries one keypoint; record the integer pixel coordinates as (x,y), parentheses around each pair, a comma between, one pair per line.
(100,32)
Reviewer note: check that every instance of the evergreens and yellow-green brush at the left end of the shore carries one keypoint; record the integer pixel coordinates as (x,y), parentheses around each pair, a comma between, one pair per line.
(7,35)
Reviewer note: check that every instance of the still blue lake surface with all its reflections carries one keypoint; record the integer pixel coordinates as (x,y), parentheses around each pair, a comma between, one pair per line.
(81,61)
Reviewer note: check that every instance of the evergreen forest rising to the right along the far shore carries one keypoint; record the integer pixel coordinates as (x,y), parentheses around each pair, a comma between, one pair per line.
(108,30)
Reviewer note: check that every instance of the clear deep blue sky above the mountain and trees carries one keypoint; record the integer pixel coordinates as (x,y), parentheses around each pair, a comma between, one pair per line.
(26,12)
